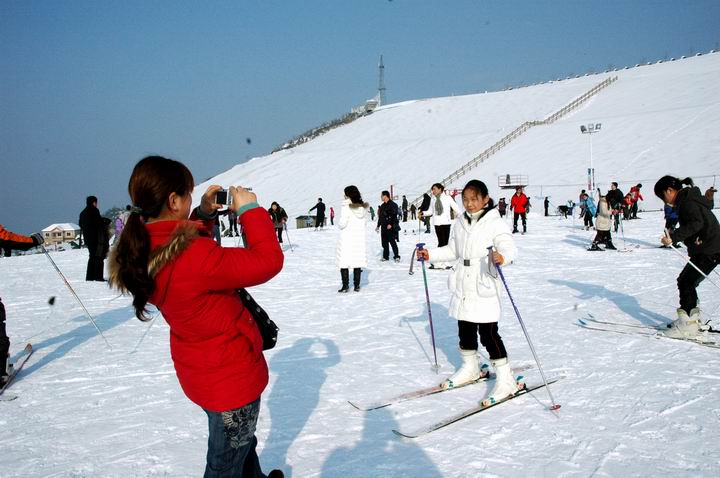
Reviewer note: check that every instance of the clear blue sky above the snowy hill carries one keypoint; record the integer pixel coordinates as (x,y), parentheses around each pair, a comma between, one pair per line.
(87,88)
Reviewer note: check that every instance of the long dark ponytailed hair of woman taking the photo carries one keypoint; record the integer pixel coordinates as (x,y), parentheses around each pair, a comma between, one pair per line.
(152,181)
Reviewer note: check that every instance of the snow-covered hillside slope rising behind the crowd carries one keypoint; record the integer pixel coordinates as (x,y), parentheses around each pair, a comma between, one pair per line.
(657,119)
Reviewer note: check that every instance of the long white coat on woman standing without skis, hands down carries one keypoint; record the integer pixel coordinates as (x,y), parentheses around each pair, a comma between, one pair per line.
(350,252)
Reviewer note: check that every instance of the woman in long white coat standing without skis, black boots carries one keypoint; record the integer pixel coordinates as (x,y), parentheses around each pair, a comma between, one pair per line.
(350,252)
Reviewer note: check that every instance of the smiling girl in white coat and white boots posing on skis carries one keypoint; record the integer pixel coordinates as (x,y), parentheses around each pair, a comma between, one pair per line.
(475,288)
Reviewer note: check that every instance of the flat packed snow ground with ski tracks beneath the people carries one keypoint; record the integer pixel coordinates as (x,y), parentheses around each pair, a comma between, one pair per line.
(631,406)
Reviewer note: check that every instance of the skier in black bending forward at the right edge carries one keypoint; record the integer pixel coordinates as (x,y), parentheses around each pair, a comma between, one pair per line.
(700,231)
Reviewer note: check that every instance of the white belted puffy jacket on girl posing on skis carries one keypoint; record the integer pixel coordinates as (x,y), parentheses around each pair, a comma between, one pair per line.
(475,291)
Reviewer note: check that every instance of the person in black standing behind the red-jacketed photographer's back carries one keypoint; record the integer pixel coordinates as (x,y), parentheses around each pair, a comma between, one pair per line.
(97,239)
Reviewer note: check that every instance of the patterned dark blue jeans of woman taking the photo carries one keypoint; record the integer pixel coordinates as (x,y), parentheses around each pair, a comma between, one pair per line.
(231,444)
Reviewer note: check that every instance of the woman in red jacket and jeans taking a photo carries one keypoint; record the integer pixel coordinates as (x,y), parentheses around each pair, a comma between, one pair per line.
(166,260)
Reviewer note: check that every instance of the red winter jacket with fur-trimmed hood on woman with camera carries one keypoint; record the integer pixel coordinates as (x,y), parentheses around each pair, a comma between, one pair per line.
(214,342)
